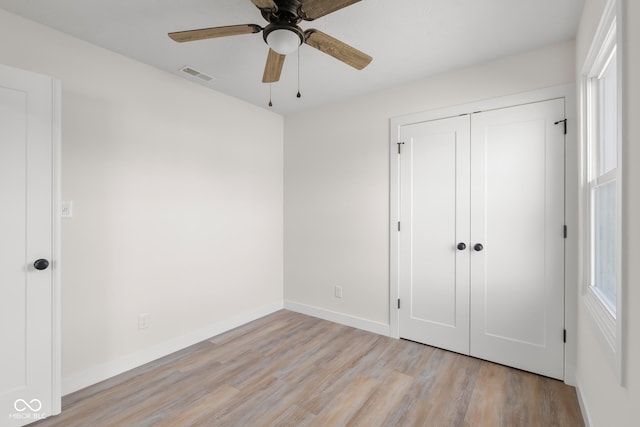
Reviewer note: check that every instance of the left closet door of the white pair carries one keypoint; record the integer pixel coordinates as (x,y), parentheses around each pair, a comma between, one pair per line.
(434,219)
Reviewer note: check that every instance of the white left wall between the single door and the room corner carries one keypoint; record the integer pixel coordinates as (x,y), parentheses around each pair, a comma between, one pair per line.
(177,194)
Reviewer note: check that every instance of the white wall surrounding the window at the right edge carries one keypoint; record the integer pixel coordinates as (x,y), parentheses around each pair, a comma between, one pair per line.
(606,402)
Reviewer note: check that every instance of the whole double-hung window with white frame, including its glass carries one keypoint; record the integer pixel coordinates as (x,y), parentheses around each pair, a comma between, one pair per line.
(601,170)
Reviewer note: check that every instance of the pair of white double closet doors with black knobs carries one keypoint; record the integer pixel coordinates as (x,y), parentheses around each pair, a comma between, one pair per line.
(493,183)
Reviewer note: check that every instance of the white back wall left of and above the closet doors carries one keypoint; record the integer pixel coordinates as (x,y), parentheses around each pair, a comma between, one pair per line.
(337,180)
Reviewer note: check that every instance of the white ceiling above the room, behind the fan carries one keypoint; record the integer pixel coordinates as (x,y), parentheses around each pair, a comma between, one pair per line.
(408,39)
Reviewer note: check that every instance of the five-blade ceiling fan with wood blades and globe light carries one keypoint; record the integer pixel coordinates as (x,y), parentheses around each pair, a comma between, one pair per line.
(284,36)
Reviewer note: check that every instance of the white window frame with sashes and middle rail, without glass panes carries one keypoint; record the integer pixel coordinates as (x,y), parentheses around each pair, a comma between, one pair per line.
(609,323)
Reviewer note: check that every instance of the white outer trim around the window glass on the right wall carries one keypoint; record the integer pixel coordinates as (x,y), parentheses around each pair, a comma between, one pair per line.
(609,327)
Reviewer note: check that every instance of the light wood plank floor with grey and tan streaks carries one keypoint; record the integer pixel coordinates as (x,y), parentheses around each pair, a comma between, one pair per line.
(288,369)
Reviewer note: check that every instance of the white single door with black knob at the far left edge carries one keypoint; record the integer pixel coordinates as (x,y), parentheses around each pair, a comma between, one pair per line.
(26,218)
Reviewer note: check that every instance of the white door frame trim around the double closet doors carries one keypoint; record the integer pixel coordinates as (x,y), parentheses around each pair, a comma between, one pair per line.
(568,92)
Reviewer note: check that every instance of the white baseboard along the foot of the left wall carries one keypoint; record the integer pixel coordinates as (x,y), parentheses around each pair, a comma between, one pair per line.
(107,370)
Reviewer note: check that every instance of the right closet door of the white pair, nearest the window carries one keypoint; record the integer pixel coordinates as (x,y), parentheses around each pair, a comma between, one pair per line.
(517,215)
